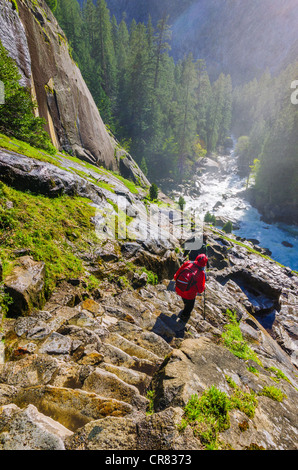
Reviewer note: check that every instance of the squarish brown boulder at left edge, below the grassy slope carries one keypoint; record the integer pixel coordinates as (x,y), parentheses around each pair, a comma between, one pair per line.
(25,285)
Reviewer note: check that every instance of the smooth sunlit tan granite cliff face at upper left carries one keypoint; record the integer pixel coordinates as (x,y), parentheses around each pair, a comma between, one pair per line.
(63,98)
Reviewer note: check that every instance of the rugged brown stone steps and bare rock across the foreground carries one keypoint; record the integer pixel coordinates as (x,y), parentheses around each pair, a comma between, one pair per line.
(114,369)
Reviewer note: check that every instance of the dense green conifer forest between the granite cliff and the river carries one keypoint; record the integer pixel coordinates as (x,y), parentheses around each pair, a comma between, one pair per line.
(166,114)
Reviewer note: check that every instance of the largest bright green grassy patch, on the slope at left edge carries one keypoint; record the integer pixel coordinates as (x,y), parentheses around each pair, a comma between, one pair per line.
(51,230)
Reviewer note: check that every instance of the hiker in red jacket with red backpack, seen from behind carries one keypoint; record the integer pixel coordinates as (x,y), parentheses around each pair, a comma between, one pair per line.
(190,281)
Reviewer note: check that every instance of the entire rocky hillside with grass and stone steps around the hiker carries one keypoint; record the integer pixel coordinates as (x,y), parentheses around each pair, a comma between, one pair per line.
(102,361)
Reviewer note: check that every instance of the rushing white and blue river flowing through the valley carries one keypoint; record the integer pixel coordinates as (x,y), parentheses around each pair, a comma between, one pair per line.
(224,188)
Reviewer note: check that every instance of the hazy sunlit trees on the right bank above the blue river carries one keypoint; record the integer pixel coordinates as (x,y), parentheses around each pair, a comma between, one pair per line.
(265,122)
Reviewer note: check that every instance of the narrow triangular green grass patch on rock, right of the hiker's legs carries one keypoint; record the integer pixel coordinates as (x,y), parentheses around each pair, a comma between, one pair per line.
(232,338)
